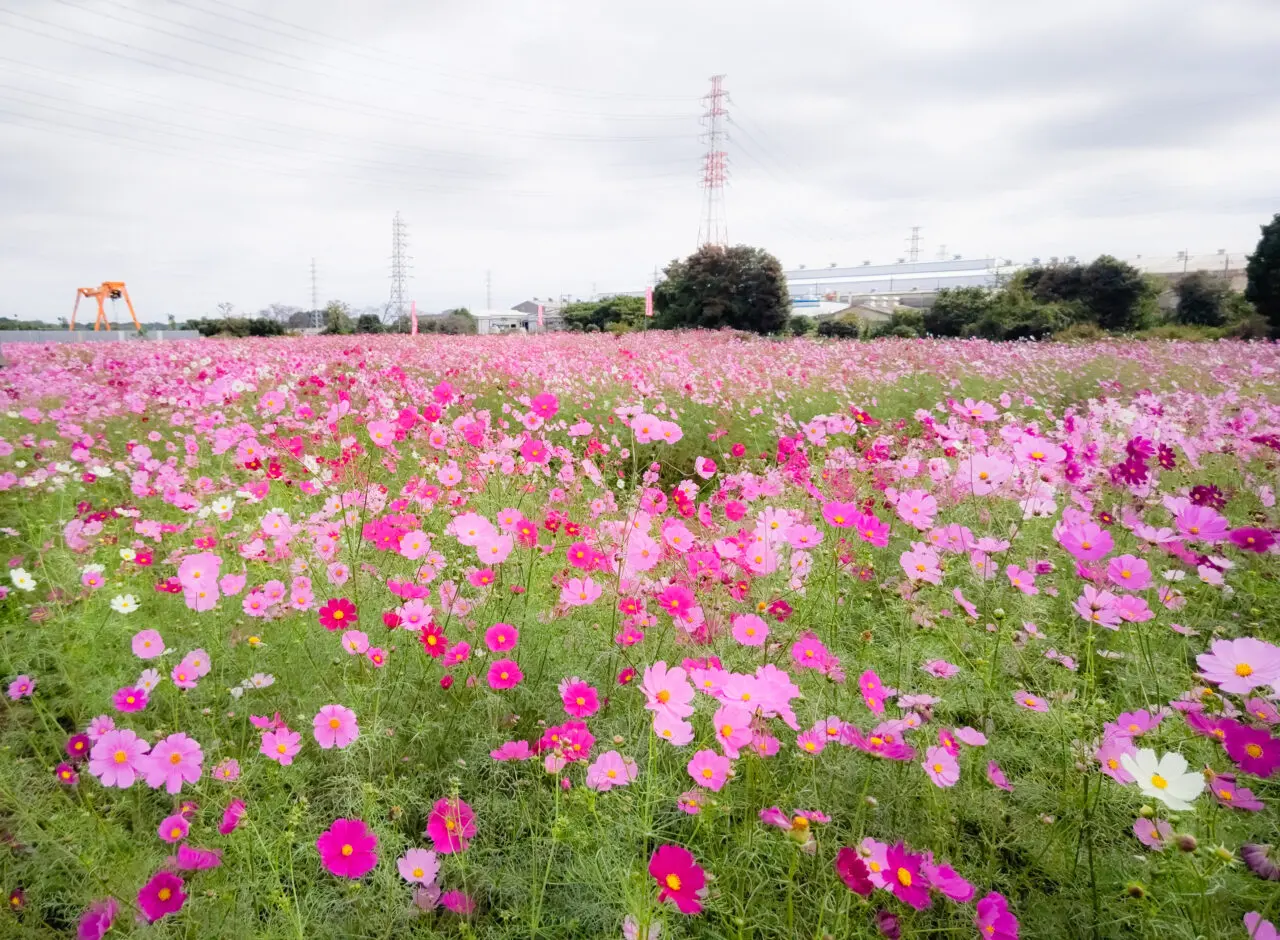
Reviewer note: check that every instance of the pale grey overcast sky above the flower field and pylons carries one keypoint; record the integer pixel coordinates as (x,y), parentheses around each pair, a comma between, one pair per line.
(207,150)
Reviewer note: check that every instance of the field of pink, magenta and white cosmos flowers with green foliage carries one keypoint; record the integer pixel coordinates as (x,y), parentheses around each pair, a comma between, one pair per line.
(650,637)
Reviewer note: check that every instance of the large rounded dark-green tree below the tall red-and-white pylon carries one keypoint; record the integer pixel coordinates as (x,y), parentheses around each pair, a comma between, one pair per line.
(717,288)
